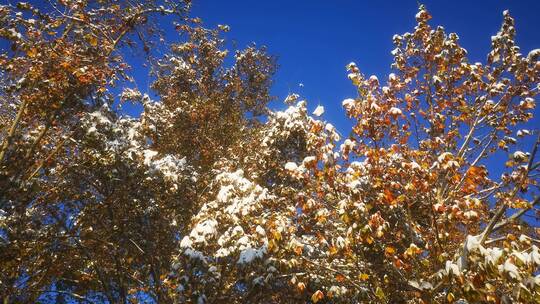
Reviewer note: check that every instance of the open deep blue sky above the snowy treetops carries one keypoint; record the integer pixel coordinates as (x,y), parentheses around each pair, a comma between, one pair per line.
(314,40)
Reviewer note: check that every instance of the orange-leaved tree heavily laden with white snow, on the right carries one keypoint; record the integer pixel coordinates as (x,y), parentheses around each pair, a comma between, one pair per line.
(407,210)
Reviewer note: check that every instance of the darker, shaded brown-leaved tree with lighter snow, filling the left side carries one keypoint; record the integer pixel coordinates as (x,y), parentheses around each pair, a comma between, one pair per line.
(93,201)
